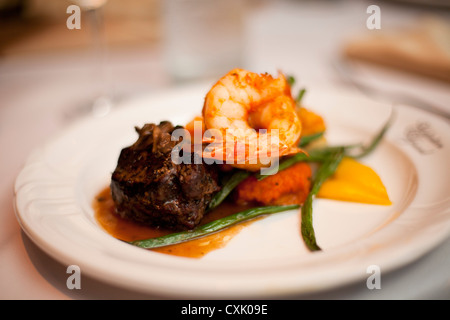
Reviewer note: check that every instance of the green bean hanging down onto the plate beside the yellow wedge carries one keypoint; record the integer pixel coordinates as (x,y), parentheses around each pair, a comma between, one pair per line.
(326,169)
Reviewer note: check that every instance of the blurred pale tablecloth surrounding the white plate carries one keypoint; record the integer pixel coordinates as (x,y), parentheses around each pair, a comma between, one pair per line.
(43,83)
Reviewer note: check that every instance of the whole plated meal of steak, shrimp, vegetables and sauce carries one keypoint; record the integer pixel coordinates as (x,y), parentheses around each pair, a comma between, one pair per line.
(253,150)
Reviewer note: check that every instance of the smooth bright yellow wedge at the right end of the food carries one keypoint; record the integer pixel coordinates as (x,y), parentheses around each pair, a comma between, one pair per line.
(355,182)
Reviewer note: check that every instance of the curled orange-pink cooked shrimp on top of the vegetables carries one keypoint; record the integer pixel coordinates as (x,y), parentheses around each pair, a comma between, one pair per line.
(253,119)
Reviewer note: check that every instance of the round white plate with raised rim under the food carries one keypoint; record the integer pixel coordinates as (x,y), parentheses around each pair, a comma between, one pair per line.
(55,189)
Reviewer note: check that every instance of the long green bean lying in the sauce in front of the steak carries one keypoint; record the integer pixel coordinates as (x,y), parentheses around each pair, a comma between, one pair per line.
(210,227)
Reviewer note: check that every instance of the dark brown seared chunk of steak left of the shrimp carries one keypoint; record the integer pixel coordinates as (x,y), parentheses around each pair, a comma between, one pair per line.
(148,187)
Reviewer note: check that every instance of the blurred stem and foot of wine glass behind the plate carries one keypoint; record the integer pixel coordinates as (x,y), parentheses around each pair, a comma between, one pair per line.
(102,103)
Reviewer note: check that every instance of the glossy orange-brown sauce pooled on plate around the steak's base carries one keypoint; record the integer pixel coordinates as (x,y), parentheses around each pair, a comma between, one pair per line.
(127,230)
